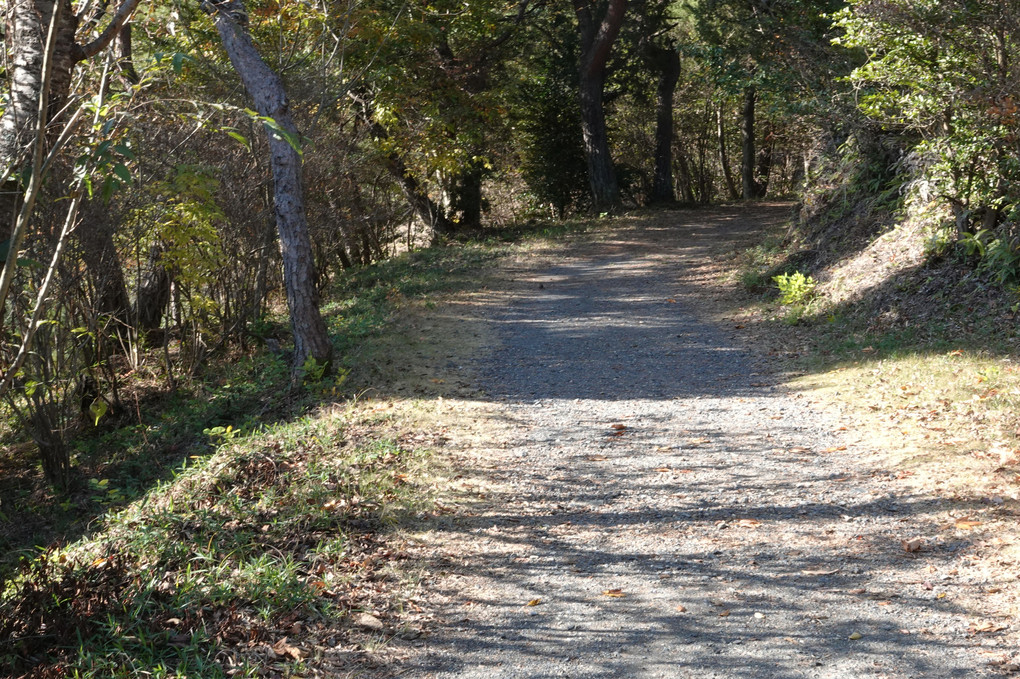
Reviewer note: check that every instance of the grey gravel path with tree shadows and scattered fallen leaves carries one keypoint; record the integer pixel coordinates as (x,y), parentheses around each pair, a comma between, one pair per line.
(657,506)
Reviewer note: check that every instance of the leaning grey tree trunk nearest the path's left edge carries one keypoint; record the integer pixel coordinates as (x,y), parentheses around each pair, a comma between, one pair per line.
(311,338)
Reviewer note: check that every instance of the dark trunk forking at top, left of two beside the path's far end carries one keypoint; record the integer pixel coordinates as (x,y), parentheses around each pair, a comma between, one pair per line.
(596,43)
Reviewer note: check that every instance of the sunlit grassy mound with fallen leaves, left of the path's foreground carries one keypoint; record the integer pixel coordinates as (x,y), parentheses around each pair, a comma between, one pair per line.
(276,535)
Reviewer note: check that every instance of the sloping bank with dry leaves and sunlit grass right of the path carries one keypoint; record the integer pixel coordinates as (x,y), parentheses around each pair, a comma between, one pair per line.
(915,344)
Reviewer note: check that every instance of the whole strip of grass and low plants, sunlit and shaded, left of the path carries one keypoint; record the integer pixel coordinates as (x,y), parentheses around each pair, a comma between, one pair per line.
(228,528)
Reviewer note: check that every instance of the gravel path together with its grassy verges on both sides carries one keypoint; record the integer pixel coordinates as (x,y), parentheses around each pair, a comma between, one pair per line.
(475,510)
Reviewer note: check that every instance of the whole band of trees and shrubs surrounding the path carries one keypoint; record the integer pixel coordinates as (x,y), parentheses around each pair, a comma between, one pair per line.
(143,226)
